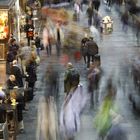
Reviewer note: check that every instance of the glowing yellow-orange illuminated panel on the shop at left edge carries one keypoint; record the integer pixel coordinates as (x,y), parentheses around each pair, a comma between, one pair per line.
(3,24)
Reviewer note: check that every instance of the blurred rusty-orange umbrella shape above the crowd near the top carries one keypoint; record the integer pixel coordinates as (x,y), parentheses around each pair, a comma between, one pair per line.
(57,15)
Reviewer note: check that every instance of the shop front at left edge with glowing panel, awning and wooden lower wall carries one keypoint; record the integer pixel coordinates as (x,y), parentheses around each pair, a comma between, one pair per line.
(6,28)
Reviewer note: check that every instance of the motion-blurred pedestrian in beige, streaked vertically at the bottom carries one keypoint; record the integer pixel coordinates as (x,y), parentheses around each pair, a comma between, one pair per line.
(47,119)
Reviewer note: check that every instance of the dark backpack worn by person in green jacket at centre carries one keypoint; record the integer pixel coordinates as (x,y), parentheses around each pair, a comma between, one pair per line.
(73,77)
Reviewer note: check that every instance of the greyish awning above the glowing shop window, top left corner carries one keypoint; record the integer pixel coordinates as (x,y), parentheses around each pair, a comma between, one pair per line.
(6,4)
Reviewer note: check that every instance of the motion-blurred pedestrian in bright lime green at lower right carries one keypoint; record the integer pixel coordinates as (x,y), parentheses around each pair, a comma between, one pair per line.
(103,119)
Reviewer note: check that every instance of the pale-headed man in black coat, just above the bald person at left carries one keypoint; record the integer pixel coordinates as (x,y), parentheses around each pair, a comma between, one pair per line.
(15,70)
